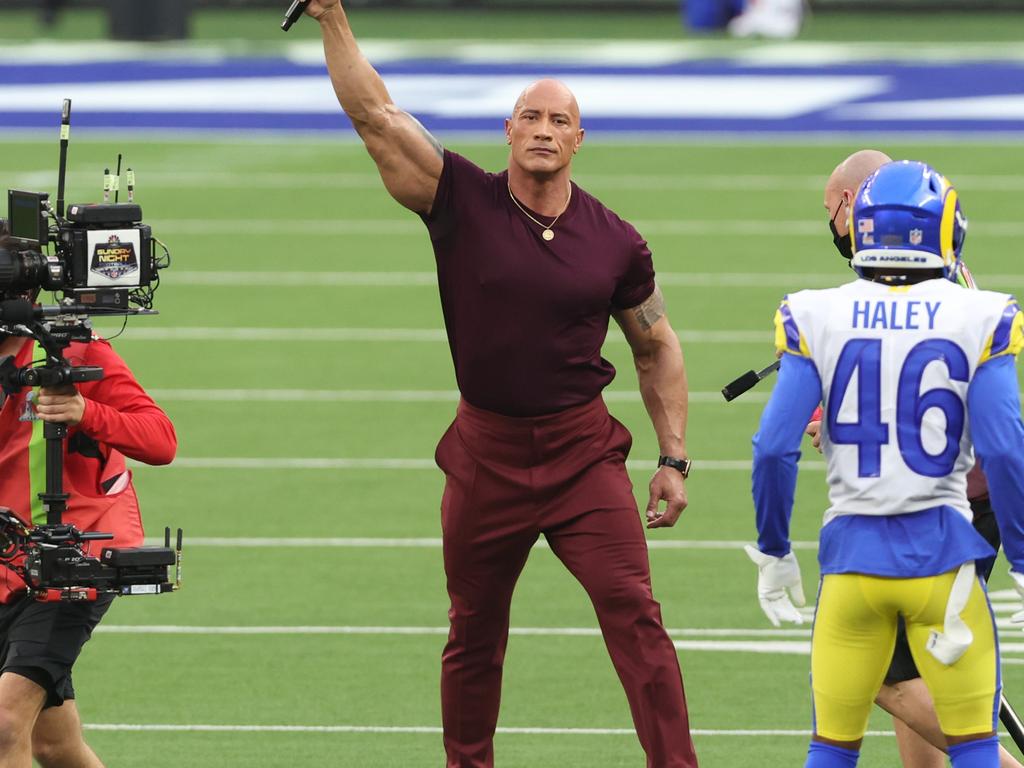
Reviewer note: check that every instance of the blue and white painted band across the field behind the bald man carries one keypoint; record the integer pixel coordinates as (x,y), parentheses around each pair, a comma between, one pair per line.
(697,98)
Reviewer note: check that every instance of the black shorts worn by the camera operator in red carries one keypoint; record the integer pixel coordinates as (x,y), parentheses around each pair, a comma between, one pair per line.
(42,642)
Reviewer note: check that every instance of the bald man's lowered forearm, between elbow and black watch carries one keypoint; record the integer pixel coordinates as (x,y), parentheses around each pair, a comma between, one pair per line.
(662,375)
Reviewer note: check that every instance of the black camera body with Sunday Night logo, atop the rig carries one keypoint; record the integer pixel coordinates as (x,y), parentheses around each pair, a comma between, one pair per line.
(104,257)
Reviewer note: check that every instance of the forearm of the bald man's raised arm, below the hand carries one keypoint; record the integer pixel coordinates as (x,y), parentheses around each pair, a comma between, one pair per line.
(361,91)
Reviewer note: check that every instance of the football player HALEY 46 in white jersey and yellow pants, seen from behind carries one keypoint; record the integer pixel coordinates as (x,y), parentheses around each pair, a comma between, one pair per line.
(912,369)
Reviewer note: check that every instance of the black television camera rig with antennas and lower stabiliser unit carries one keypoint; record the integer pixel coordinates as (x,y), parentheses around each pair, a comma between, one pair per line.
(103,261)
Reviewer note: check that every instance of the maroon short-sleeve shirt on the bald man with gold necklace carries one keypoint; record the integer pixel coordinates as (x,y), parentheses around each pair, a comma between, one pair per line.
(527,318)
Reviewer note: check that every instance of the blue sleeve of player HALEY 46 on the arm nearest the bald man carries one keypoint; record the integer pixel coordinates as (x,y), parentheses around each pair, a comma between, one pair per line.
(777,450)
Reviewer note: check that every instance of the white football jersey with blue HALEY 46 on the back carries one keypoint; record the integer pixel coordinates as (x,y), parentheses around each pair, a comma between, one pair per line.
(895,363)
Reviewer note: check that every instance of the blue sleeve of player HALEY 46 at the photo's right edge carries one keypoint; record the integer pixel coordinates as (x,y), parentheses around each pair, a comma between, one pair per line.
(994,405)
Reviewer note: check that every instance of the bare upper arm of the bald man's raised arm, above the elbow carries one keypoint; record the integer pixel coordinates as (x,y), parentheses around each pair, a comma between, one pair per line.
(410,160)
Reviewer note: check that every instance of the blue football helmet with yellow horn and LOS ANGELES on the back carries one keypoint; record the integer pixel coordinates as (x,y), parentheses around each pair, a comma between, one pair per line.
(908,216)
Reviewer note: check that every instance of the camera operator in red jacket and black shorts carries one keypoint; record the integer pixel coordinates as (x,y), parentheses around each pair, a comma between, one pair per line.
(109,421)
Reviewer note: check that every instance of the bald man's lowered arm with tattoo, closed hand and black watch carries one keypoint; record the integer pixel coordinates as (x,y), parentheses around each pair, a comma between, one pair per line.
(662,376)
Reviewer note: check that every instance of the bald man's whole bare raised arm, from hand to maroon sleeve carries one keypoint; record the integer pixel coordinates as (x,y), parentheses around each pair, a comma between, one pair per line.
(410,160)
